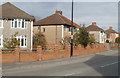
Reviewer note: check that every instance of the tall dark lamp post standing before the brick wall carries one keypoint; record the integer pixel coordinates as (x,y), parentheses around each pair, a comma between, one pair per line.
(71,51)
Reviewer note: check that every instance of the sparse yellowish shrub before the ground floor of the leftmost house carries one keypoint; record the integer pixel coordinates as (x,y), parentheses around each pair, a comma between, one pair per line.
(12,42)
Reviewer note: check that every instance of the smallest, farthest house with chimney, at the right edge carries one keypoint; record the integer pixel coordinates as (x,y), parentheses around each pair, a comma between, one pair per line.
(111,34)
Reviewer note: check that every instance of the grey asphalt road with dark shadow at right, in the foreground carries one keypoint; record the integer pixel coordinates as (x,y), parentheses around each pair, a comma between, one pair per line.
(101,64)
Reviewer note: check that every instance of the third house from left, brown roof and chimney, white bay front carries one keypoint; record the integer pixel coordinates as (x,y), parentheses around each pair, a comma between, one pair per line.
(97,32)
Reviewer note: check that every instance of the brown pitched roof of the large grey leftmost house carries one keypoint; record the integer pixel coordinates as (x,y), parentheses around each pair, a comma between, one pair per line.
(10,11)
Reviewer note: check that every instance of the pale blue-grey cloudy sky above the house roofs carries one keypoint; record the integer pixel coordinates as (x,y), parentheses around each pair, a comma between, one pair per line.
(105,14)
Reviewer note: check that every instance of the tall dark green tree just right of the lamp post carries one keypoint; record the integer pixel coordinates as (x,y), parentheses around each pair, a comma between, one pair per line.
(83,37)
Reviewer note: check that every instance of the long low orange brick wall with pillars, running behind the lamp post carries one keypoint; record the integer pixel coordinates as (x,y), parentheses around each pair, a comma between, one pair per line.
(40,55)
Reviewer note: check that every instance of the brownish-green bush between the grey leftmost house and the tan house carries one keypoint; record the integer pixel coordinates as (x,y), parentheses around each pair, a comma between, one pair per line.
(39,39)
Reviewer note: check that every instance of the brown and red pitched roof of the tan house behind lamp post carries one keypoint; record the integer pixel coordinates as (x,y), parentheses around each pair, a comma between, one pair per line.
(55,19)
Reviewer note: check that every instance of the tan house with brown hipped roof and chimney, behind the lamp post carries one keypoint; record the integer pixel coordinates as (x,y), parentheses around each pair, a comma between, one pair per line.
(55,27)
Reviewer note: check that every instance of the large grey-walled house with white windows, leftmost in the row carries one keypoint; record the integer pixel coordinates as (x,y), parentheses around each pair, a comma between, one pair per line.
(12,20)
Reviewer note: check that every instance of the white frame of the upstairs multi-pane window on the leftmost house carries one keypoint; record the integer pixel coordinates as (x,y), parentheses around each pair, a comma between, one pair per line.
(19,23)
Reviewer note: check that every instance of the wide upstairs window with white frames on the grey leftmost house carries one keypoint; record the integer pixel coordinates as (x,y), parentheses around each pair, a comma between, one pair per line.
(19,23)
